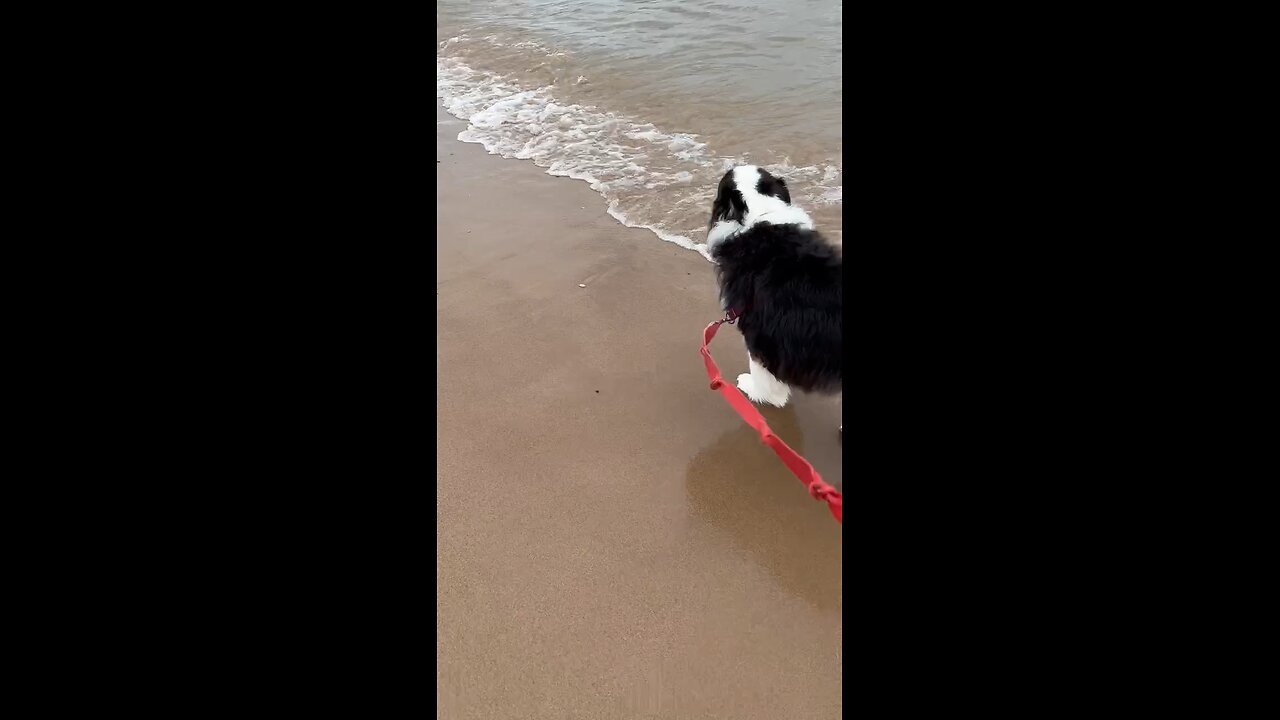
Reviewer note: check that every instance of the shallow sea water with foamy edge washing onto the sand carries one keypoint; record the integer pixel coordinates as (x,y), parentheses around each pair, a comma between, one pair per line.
(652,101)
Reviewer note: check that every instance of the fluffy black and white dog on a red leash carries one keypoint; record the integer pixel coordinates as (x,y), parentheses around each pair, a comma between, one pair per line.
(784,280)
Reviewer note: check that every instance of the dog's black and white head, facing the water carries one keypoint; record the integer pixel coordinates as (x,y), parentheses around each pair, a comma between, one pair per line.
(748,195)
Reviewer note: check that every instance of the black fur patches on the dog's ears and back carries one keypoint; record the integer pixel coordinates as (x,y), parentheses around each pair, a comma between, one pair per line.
(787,281)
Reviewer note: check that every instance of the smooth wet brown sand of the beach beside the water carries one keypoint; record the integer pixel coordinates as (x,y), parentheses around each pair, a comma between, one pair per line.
(612,540)
